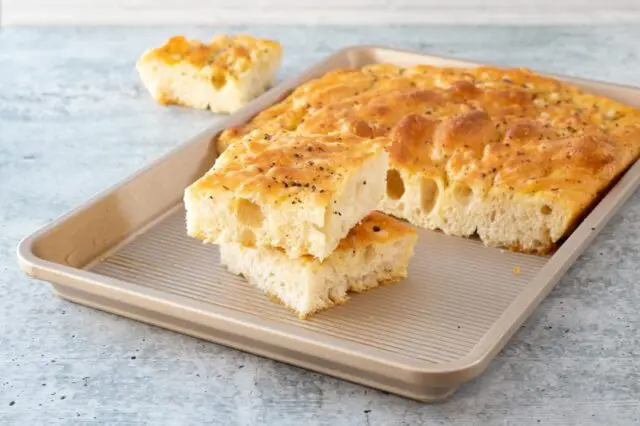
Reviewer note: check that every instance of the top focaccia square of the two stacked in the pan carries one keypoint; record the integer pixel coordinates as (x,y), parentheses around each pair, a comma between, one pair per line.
(299,193)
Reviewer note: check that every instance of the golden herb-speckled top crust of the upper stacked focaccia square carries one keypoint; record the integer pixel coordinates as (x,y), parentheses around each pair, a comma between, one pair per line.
(288,167)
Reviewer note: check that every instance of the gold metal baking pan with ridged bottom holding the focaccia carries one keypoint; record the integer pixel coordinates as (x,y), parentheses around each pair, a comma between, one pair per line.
(126,252)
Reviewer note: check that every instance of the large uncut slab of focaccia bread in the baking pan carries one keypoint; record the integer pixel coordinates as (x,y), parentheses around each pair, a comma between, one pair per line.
(507,154)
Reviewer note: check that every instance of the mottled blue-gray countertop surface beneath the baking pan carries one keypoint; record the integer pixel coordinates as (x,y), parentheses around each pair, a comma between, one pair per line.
(74,119)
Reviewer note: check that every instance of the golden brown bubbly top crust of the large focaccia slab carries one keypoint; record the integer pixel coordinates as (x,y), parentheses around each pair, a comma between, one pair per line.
(508,131)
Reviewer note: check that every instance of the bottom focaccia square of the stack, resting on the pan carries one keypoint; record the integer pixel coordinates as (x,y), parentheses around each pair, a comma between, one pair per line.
(376,251)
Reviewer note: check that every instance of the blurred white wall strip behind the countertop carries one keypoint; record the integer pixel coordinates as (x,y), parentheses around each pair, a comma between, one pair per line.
(347,12)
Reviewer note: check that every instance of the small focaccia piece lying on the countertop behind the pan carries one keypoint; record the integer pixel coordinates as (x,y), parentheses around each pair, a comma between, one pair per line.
(221,76)
